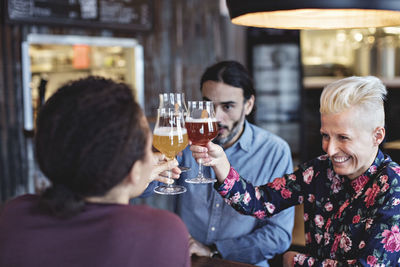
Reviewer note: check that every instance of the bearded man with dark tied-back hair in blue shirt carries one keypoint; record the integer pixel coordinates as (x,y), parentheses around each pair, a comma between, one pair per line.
(216,229)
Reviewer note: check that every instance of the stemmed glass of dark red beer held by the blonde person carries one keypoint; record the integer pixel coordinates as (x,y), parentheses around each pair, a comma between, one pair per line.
(202,127)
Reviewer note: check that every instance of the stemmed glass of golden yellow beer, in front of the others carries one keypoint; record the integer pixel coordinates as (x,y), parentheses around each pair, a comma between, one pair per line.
(170,137)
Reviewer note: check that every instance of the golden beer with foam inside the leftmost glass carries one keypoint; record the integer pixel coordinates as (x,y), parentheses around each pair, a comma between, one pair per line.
(170,142)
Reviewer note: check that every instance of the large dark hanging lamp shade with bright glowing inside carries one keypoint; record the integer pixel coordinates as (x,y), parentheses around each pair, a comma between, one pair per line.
(315,14)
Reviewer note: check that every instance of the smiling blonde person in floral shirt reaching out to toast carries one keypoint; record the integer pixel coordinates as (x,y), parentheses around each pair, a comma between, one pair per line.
(351,195)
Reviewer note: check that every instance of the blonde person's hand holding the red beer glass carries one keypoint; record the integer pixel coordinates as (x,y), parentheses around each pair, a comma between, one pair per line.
(212,155)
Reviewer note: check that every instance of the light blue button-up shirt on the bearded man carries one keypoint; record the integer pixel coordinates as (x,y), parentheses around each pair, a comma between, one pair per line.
(258,155)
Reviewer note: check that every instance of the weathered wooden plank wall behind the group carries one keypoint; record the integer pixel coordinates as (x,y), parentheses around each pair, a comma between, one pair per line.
(188,36)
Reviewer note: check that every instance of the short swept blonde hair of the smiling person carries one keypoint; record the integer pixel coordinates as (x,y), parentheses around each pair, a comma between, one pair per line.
(367,93)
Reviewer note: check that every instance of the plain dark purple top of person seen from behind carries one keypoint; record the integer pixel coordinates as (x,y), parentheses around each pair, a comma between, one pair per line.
(101,235)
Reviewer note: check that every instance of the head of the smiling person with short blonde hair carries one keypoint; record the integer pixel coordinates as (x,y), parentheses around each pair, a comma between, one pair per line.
(352,123)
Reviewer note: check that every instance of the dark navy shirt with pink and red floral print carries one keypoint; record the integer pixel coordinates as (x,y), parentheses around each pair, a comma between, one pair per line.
(347,222)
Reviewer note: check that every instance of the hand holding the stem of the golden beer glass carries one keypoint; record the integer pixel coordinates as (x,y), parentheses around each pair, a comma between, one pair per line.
(161,167)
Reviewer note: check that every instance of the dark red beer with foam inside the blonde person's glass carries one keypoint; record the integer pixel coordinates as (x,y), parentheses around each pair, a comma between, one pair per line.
(201,131)
